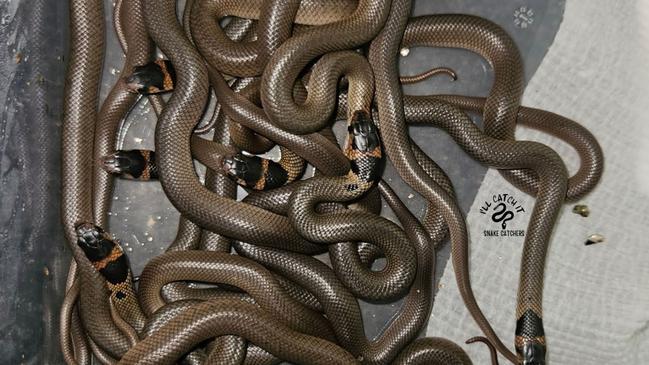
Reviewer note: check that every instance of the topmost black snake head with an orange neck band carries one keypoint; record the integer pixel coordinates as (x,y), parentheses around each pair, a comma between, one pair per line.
(153,78)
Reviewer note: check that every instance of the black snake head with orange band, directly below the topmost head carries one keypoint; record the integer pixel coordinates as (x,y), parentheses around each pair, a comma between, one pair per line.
(130,164)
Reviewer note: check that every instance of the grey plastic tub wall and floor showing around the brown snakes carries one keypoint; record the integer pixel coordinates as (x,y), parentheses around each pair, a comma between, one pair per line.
(33,259)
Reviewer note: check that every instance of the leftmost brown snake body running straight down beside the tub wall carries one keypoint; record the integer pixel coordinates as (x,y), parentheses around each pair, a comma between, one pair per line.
(78,127)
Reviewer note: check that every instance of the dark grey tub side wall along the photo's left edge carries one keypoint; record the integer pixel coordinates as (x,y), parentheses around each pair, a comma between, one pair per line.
(33,257)
